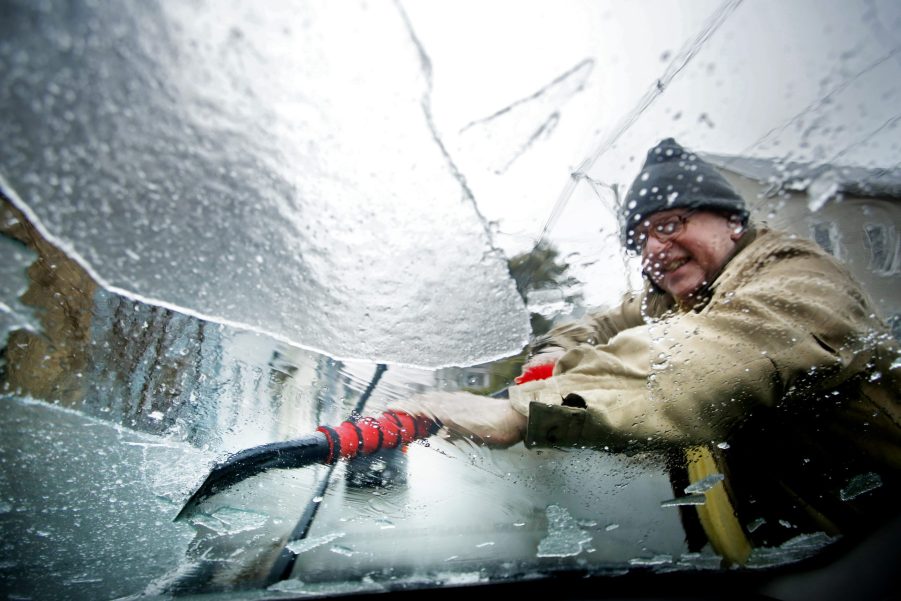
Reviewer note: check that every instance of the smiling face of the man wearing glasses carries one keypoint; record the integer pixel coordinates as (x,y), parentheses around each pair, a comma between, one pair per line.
(683,250)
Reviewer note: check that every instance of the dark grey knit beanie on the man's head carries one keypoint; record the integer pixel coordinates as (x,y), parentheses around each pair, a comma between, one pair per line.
(672,178)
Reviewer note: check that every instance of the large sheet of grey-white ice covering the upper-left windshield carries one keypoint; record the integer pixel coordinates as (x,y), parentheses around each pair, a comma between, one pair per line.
(259,168)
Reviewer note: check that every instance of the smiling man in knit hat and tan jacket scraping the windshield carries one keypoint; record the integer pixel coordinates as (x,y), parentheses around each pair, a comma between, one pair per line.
(750,353)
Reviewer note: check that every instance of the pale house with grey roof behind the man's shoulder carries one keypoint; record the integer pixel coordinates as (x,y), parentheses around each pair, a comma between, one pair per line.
(852,212)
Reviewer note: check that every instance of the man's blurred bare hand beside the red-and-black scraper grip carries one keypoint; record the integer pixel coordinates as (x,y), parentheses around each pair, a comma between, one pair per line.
(487,420)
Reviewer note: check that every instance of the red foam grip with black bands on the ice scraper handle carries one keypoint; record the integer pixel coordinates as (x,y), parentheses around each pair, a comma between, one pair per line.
(368,435)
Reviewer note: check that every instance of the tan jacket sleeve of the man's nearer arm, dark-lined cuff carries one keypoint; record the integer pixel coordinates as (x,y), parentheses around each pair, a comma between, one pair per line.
(777,327)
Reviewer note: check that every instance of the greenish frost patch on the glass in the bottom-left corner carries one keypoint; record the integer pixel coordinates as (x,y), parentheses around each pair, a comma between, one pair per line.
(83,499)
